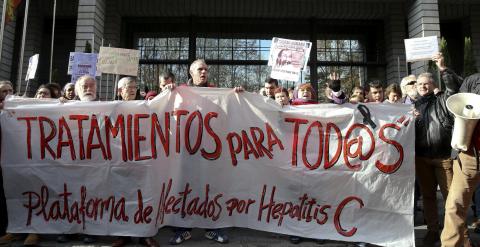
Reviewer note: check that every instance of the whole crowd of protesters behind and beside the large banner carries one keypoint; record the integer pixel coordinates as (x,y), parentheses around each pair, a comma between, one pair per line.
(436,164)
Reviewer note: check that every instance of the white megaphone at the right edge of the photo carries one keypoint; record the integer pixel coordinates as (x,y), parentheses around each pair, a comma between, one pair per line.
(466,108)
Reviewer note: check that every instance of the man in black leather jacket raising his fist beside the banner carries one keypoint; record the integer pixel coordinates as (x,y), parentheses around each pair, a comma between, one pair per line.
(433,132)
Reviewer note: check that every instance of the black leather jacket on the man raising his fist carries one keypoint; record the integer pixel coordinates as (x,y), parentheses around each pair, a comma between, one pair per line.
(433,128)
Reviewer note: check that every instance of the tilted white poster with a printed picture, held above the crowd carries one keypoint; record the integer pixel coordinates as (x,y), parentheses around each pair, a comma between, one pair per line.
(288,57)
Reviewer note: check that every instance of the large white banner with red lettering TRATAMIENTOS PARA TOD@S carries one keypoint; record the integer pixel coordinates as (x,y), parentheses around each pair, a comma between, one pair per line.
(210,158)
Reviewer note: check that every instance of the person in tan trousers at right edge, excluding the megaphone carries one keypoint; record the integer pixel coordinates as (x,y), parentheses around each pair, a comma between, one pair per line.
(466,178)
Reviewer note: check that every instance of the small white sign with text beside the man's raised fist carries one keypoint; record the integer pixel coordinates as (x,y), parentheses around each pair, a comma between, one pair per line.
(419,49)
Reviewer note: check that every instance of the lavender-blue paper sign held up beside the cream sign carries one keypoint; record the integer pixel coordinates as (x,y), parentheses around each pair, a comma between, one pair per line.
(82,64)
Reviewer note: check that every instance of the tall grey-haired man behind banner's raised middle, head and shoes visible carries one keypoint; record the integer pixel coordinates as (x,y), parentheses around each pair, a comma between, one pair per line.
(199,73)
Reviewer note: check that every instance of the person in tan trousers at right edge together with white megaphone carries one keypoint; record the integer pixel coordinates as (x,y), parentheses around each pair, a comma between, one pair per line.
(466,176)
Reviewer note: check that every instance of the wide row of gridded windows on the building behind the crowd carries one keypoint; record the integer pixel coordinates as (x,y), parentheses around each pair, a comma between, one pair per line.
(243,61)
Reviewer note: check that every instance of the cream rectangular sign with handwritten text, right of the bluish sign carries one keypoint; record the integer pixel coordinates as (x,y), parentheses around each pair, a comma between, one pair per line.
(118,61)
